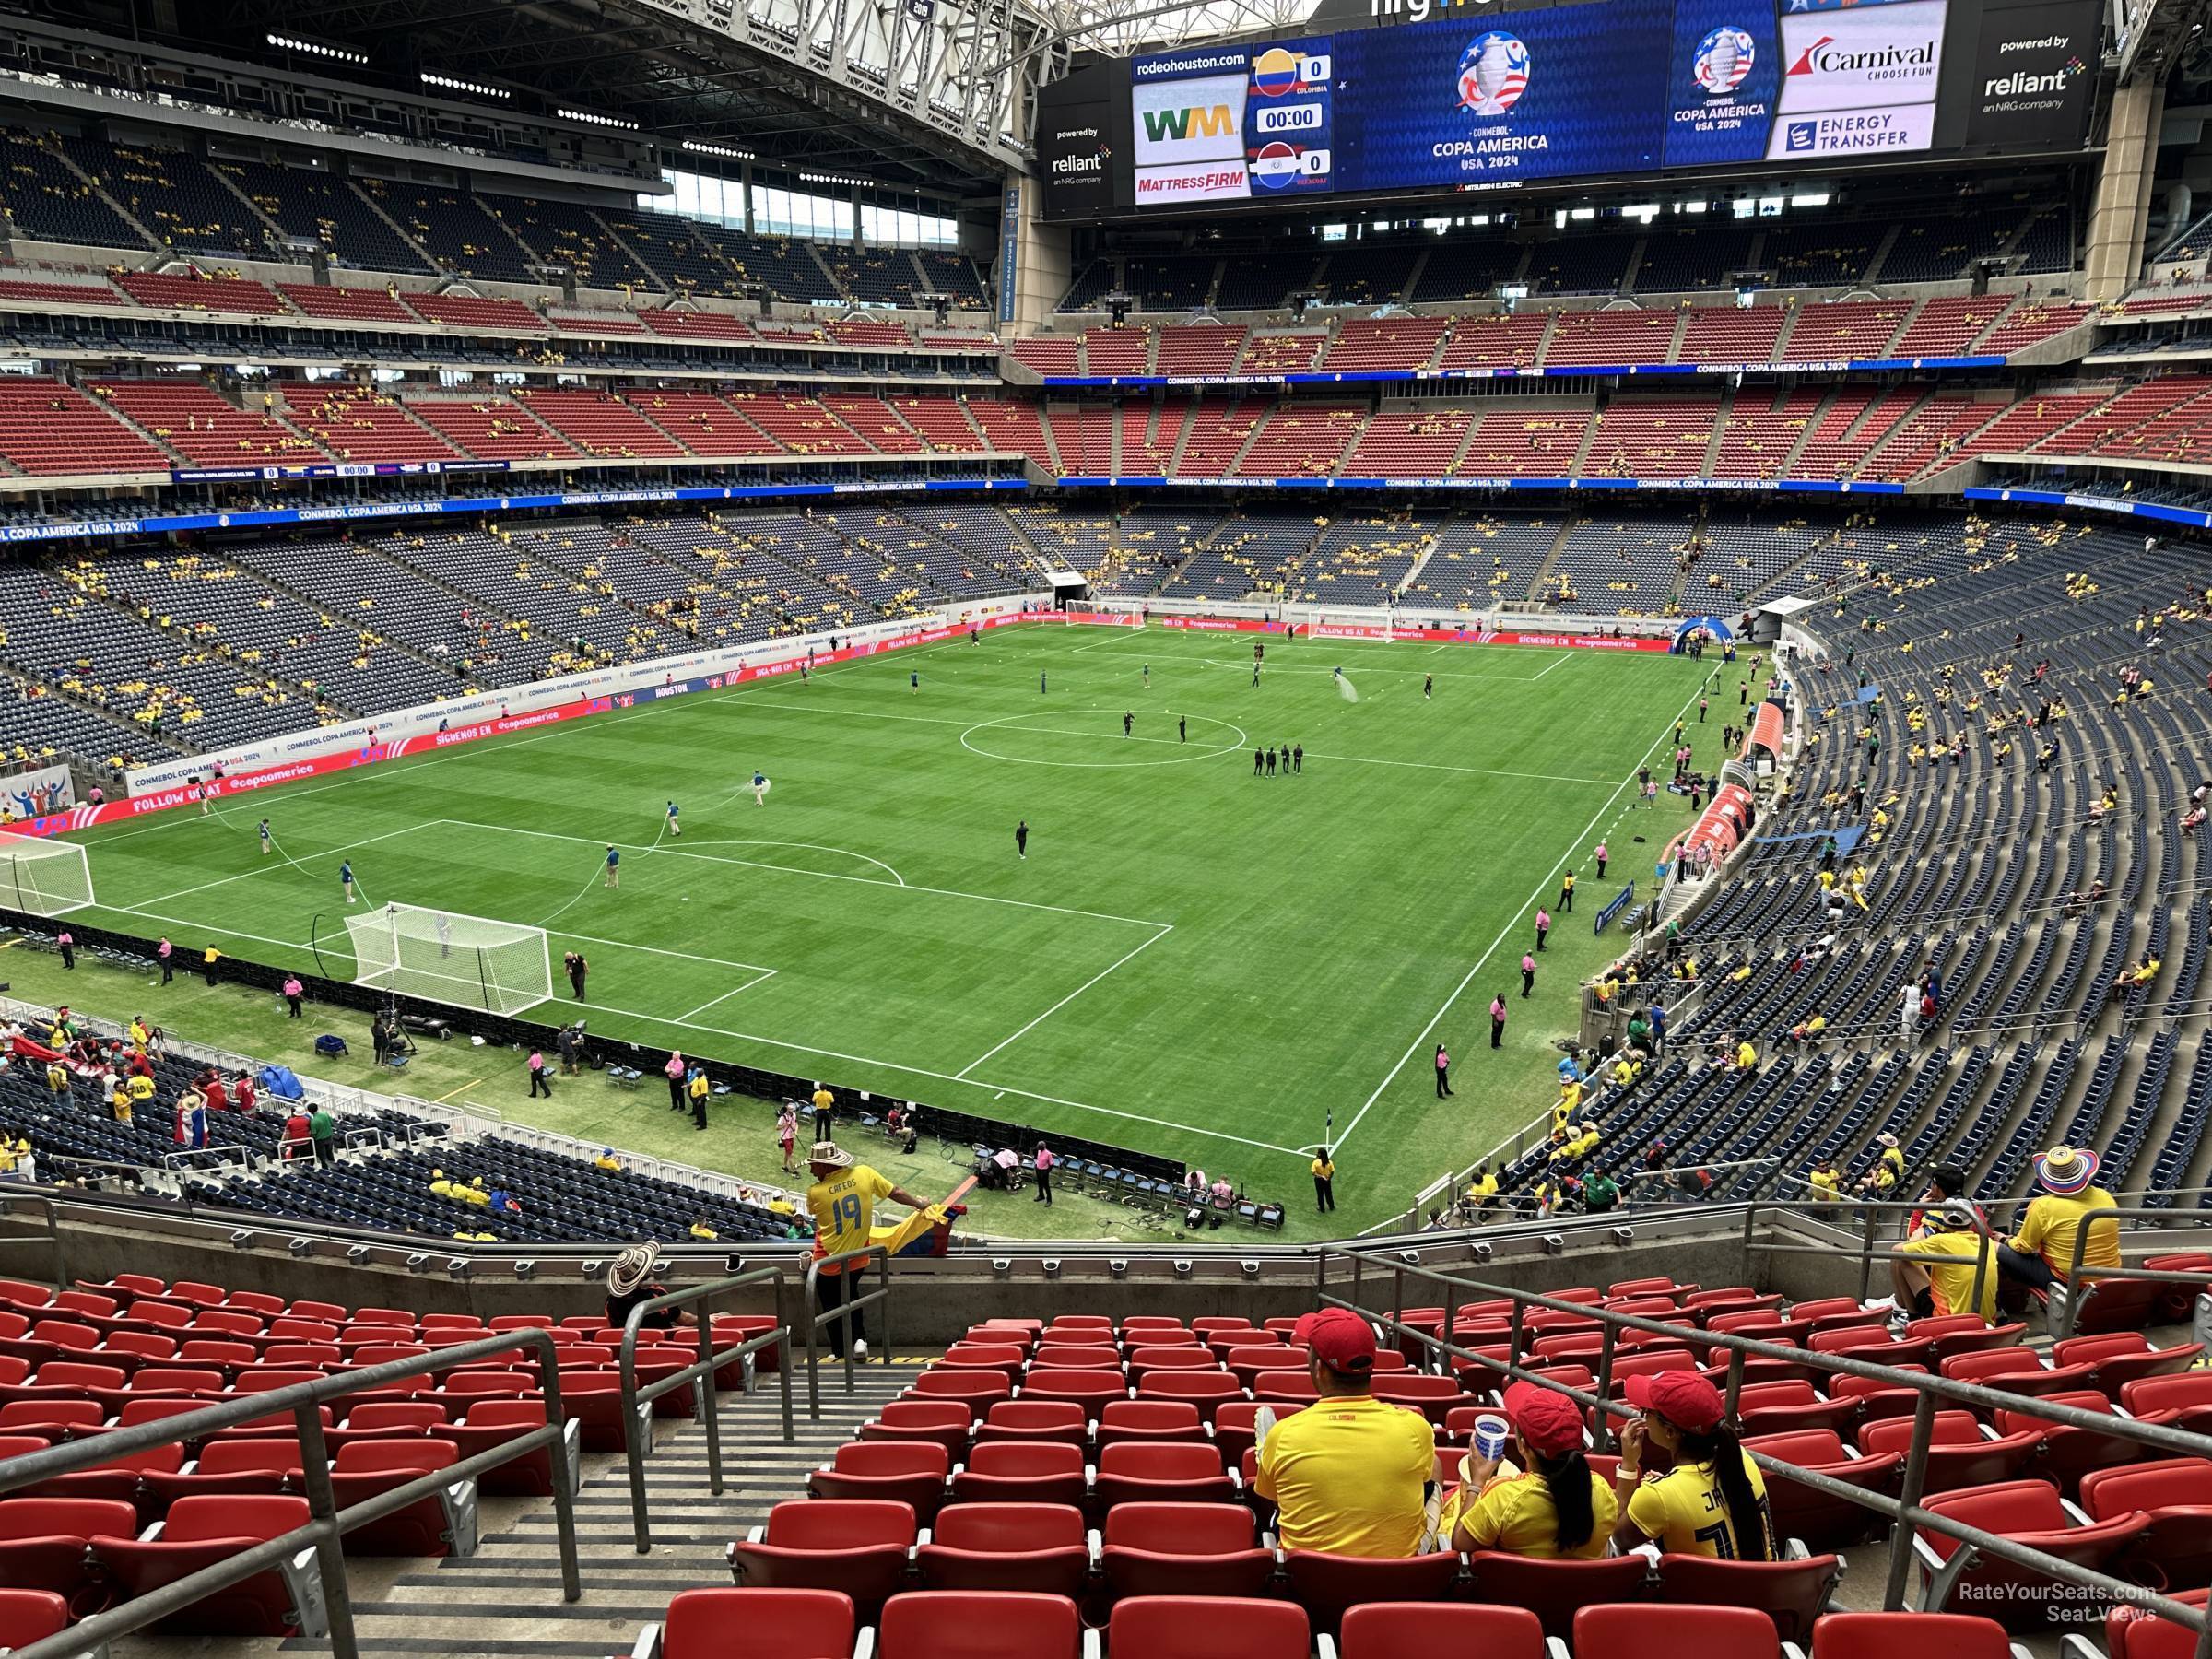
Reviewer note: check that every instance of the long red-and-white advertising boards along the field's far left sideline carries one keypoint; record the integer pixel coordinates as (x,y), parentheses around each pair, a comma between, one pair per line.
(441,727)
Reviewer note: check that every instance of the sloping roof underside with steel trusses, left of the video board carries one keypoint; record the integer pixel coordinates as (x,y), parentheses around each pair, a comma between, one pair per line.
(875,90)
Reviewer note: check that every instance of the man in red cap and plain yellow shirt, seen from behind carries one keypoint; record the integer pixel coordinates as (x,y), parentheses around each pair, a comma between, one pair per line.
(1350,1472)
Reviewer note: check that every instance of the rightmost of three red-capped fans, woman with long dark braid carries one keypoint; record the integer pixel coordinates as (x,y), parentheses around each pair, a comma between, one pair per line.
(1713,1501)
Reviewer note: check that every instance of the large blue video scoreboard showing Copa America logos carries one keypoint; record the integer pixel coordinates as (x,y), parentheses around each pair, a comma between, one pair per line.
(1415,96)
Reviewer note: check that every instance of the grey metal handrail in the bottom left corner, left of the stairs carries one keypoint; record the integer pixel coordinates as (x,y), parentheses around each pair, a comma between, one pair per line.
(326,1523)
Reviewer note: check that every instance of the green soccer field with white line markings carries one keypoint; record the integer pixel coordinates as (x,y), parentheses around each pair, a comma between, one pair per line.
(1193,959)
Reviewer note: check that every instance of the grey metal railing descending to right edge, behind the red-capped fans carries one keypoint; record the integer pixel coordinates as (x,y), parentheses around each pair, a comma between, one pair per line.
(1906,1510)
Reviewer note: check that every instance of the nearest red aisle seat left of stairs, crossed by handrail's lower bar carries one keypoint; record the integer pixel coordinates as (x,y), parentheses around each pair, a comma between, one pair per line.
(202,1532)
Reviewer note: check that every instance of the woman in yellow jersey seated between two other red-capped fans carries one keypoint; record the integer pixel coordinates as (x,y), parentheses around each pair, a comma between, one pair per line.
(1556,1505)
